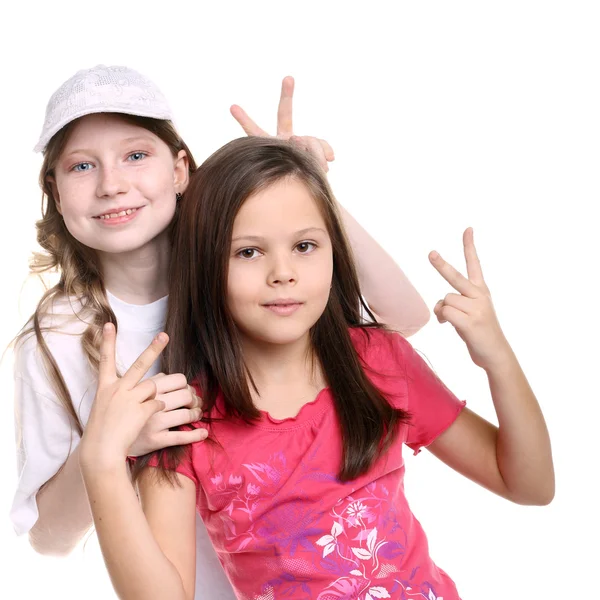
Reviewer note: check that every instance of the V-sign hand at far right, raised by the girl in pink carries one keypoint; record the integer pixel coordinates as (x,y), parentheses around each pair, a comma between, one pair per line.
(471,311)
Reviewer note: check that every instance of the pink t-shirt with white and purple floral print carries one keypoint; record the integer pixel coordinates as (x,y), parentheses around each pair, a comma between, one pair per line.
(283,525)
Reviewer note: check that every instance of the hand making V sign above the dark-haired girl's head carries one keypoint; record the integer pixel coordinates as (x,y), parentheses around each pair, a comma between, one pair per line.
(319,148)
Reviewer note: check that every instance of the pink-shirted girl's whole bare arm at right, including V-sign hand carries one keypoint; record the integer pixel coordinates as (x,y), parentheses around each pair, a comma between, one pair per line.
(515,459)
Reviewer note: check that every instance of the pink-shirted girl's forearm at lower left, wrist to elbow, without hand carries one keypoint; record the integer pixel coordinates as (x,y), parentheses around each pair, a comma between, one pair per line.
(137,566)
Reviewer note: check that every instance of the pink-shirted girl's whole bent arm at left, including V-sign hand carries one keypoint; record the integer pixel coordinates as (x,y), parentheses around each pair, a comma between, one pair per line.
(140,565)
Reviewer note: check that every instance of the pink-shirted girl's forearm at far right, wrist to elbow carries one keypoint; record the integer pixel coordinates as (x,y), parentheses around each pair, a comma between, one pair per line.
(523,447)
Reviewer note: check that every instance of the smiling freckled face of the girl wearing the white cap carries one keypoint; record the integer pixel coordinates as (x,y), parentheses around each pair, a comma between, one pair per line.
(115,184)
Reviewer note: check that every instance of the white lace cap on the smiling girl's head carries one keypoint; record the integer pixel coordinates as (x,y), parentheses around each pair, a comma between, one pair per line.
(102,89)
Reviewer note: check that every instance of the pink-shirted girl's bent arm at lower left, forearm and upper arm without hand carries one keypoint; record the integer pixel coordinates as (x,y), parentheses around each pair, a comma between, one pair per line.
(150,556)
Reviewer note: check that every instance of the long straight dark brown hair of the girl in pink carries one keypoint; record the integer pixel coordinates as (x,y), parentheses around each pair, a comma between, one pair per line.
(206,346)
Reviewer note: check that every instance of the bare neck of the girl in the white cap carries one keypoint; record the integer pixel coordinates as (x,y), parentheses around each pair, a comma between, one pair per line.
(139,276)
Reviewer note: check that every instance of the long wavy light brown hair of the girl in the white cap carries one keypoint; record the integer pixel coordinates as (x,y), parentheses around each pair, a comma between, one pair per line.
(77,265)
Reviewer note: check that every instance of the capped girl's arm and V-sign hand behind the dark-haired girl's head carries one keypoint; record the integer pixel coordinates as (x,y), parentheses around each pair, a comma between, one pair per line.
(387,290)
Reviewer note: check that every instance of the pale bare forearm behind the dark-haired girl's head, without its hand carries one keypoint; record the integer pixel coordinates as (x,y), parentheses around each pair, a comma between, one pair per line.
(387,290)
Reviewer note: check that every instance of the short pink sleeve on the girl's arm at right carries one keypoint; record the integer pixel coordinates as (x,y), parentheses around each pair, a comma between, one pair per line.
(432,406)
